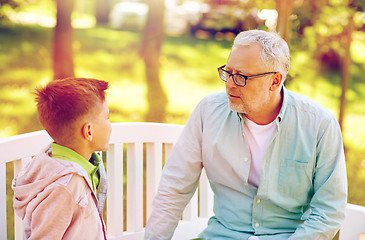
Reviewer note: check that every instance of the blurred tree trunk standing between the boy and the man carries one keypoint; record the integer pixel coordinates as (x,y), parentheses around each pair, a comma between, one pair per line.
(153,35)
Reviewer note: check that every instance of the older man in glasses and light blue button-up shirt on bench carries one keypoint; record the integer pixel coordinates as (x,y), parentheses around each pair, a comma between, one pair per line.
(274,159)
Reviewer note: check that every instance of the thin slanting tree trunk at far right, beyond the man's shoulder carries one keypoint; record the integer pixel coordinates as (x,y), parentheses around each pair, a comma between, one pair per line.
(345,69)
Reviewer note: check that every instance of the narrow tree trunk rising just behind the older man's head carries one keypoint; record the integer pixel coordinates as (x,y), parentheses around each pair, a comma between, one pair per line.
(285,9)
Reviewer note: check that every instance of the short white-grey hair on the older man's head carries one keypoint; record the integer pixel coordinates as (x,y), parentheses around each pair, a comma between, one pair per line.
(275,51)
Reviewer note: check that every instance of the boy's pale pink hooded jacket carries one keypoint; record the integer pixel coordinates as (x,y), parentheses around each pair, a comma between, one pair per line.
(55,200)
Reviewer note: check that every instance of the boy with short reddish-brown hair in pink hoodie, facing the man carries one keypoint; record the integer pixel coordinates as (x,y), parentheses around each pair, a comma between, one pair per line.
(60,193)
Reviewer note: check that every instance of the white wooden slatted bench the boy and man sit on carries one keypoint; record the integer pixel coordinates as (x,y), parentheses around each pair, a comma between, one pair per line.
(134,162)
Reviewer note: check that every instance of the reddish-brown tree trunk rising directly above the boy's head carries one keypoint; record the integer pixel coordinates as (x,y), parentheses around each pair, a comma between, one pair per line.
(63,65)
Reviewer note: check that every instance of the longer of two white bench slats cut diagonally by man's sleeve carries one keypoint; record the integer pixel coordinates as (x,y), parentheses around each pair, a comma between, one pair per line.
(153,171)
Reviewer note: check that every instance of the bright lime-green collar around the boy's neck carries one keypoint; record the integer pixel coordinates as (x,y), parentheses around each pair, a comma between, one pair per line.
(68,154)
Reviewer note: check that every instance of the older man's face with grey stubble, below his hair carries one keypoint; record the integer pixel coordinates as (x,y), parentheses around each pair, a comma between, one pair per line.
(253,98)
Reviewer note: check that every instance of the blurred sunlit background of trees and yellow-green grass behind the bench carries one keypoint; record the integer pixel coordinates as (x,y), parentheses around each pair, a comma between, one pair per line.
(160,57)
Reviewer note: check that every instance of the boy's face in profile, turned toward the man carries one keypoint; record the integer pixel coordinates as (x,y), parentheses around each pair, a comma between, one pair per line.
(101,128)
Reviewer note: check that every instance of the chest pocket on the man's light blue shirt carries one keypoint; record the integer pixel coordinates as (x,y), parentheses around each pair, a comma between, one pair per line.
(295,180)
